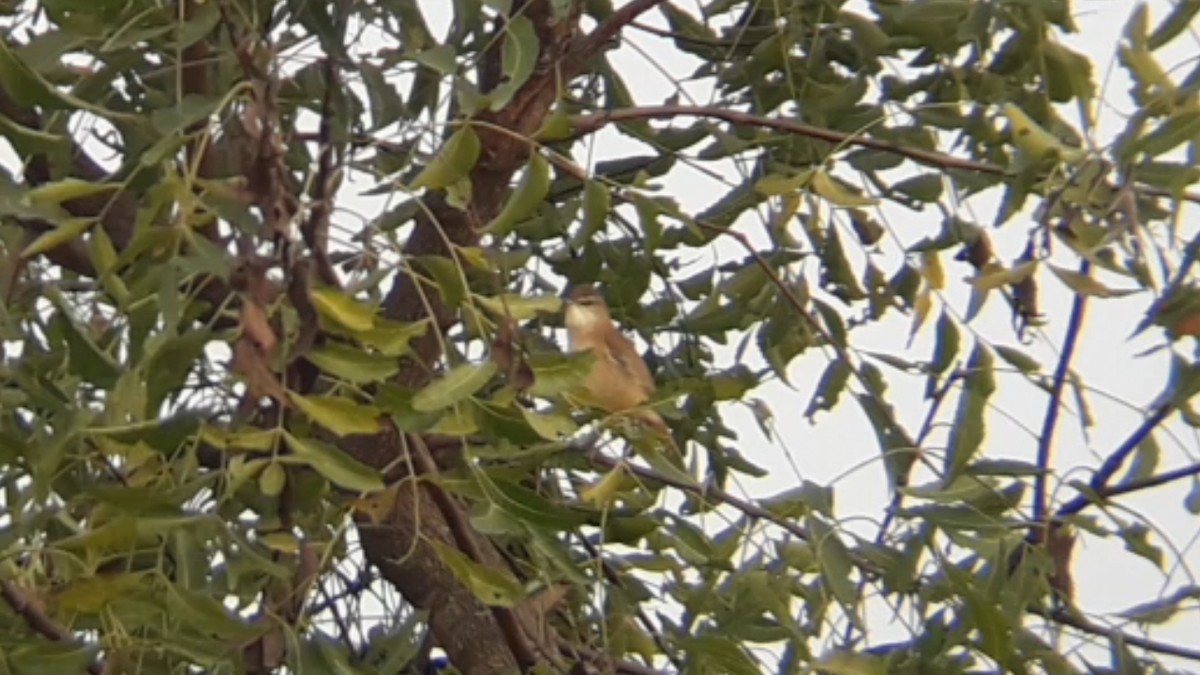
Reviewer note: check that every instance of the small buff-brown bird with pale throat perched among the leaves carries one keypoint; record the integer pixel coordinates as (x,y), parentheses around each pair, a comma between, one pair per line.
(620,381)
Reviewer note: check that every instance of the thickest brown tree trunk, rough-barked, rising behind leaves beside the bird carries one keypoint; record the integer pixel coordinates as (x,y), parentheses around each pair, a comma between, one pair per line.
(473,638)
